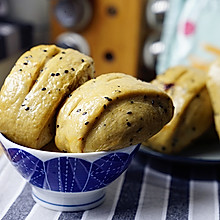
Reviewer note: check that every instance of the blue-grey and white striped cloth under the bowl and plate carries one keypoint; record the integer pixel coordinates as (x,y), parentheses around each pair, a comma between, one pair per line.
(140,193)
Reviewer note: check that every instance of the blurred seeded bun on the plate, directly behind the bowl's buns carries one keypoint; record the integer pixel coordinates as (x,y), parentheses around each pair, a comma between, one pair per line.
(193,114)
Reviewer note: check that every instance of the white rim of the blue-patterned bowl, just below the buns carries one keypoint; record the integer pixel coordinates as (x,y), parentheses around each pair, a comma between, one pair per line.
(64,154)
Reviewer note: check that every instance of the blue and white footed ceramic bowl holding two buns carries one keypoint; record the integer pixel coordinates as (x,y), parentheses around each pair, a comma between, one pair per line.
(68,181)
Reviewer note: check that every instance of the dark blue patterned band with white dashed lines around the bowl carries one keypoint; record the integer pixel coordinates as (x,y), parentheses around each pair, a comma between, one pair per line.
(69,174)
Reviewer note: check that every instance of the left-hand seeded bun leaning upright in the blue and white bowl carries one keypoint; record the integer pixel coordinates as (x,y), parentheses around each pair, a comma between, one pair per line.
(35,87)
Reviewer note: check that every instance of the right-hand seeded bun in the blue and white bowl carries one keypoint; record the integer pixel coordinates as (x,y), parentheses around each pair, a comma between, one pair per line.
(113,111)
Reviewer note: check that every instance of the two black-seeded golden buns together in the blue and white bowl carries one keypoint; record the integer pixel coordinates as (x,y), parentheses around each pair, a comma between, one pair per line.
(110,112)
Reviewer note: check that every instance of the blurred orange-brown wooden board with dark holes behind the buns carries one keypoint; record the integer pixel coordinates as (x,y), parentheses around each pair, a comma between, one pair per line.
(115,35)
